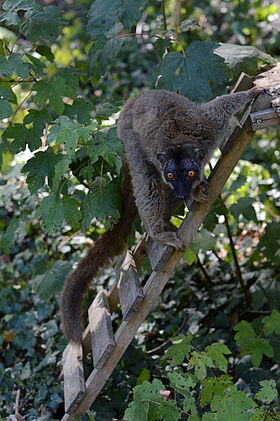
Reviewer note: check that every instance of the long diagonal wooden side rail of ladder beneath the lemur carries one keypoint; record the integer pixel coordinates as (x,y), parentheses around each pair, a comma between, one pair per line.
(158,280)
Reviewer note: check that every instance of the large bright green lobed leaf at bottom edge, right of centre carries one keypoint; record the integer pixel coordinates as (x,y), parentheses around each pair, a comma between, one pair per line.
(234,406)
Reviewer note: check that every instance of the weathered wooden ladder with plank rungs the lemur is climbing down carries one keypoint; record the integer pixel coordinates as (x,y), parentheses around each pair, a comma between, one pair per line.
(135,300)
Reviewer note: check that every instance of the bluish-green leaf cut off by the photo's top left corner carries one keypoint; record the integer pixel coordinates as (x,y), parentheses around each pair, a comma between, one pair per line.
(12,8)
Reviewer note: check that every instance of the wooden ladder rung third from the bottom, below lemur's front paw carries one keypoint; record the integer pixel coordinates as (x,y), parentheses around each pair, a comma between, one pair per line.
(129,286)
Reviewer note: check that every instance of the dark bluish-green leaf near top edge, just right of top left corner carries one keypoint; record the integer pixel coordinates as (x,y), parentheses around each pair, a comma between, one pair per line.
(43,24)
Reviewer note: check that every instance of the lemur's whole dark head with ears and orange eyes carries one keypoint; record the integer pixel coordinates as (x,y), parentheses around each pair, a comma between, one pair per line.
(182,169)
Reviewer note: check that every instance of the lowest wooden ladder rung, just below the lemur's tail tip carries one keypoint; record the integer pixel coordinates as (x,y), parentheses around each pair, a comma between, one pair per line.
(73,372)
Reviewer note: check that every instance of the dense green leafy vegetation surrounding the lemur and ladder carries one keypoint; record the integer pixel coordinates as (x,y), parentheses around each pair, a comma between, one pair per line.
(66,68)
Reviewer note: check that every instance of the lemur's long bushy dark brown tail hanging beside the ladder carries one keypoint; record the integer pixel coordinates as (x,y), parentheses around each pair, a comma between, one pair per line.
(112,243)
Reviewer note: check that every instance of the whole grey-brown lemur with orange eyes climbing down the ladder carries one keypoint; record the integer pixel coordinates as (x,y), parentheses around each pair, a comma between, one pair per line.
(167,139)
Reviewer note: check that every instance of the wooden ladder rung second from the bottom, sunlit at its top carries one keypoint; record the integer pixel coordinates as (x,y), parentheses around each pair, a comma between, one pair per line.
(101,331)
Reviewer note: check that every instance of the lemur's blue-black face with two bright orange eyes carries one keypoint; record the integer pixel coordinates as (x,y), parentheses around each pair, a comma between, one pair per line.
(182,176)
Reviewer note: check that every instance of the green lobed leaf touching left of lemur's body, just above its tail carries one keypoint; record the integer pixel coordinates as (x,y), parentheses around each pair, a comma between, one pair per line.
(102,203)
